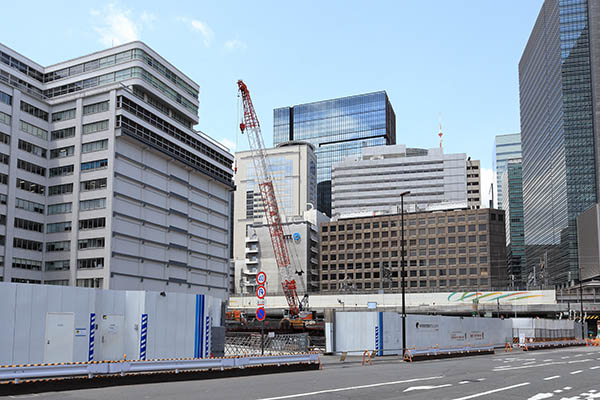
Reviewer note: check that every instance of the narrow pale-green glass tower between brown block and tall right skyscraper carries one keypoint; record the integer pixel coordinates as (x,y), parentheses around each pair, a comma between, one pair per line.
(512,187)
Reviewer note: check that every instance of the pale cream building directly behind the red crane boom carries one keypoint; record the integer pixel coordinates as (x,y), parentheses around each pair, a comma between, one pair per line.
(293,166)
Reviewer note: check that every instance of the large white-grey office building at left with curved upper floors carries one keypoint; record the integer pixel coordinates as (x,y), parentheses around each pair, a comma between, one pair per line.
(104,182)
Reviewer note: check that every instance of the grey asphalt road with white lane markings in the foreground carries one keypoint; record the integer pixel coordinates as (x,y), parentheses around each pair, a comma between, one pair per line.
(567,374)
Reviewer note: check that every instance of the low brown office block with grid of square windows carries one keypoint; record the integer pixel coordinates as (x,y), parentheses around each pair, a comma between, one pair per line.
(445,251)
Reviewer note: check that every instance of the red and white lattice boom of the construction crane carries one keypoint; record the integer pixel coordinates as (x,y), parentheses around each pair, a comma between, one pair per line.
(251,126)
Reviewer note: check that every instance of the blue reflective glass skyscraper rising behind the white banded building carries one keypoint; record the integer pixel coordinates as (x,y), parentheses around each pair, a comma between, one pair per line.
(337,128)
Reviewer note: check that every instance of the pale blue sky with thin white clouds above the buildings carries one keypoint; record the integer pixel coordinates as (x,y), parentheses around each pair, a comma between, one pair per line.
(449,62)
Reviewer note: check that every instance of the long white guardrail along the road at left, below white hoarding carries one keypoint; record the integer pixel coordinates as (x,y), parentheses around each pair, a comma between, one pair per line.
(20,373)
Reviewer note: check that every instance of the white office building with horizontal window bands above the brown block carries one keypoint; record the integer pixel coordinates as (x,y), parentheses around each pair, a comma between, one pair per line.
(374,181)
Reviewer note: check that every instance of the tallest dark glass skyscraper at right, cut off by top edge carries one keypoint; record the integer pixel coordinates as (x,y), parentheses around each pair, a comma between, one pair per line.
(559,84)
